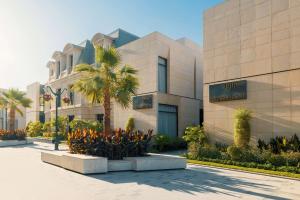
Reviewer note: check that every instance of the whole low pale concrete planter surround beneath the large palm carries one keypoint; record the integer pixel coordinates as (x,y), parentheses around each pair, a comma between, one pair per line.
(86,164)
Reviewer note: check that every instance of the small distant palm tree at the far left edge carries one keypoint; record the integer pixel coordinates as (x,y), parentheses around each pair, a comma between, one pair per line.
(12,100)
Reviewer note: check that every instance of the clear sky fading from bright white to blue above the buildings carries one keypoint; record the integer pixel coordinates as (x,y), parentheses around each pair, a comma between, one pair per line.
(31,30)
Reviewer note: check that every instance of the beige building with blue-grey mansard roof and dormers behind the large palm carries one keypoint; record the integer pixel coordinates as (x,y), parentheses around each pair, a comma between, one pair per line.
(169,97)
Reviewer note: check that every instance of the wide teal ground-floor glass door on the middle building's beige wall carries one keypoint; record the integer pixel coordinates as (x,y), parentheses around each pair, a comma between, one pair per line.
(167,120)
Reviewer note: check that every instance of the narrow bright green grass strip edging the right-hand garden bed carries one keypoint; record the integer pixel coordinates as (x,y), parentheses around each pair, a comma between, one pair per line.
(255,170)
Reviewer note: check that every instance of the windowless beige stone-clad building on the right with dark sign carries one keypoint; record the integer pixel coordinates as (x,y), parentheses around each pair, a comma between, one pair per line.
(252,60)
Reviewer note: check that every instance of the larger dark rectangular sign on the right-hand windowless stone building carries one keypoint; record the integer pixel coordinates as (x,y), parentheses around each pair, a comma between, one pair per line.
(228,91)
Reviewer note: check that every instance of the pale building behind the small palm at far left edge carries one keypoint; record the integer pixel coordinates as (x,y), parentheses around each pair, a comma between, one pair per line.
(20,121)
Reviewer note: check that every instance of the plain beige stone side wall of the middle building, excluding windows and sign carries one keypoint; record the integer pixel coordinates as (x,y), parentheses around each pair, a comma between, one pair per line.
(184,80)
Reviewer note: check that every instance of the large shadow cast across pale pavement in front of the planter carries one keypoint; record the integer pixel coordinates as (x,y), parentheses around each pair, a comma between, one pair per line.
(195,180)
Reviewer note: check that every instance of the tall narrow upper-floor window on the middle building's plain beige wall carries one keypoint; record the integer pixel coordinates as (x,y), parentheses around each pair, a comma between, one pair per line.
(162,75)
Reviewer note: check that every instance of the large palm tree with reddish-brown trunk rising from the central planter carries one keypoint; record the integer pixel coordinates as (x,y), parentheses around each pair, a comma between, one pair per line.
(106,80)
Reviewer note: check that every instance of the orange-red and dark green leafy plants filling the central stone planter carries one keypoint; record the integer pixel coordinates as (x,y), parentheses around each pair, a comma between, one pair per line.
(114,147)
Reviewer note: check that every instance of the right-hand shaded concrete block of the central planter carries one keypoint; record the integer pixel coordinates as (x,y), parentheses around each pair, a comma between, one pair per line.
(157,162)
